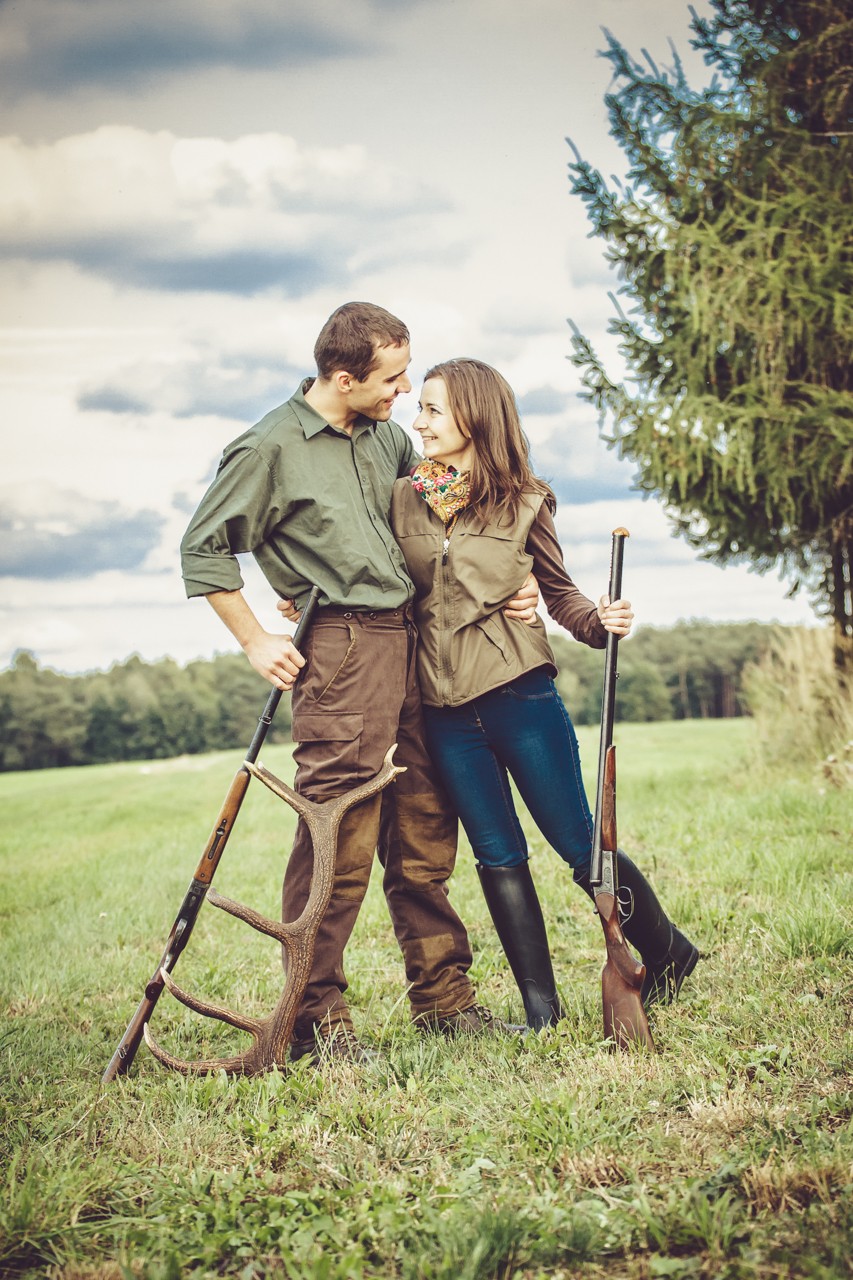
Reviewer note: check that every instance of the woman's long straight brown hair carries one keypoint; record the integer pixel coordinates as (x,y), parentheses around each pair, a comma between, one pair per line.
(483,405)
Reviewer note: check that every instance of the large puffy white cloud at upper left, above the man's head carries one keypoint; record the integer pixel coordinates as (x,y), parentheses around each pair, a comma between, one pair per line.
(176,214)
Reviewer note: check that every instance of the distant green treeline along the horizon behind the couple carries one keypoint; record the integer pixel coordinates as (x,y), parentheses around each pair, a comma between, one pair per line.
(147,711)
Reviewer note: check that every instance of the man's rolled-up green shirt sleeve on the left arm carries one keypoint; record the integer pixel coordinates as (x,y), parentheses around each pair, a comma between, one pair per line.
(234,518)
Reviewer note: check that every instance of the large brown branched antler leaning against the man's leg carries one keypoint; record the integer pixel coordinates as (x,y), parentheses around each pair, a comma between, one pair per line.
(272,1035)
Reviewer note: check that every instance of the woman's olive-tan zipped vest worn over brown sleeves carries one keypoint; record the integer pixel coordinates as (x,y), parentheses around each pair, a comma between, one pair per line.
(466,643)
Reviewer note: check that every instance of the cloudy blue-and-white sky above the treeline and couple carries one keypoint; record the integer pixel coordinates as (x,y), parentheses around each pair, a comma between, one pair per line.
(188,191)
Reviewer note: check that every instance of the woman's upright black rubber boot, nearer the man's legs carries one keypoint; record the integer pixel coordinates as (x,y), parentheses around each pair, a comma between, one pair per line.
(516,911)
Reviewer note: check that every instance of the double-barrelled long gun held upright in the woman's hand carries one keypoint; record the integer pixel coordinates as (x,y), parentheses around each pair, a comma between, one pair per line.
(622,979)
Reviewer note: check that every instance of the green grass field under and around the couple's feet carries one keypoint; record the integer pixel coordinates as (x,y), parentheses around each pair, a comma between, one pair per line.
(729,1154)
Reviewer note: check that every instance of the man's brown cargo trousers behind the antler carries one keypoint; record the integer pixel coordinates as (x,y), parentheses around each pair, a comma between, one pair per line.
(357,696)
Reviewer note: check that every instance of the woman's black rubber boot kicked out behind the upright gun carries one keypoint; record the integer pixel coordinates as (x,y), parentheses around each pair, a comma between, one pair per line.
(665,952)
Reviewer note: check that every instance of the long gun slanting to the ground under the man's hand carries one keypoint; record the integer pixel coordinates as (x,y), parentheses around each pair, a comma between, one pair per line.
(194,898)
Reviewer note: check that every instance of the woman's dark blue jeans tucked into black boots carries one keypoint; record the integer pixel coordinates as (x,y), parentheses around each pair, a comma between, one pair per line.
(519,730)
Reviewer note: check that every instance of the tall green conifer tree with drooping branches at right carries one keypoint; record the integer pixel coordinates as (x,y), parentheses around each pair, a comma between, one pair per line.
(732,237)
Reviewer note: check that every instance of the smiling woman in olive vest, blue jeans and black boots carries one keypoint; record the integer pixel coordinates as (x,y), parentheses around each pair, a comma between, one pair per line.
(472,522)
